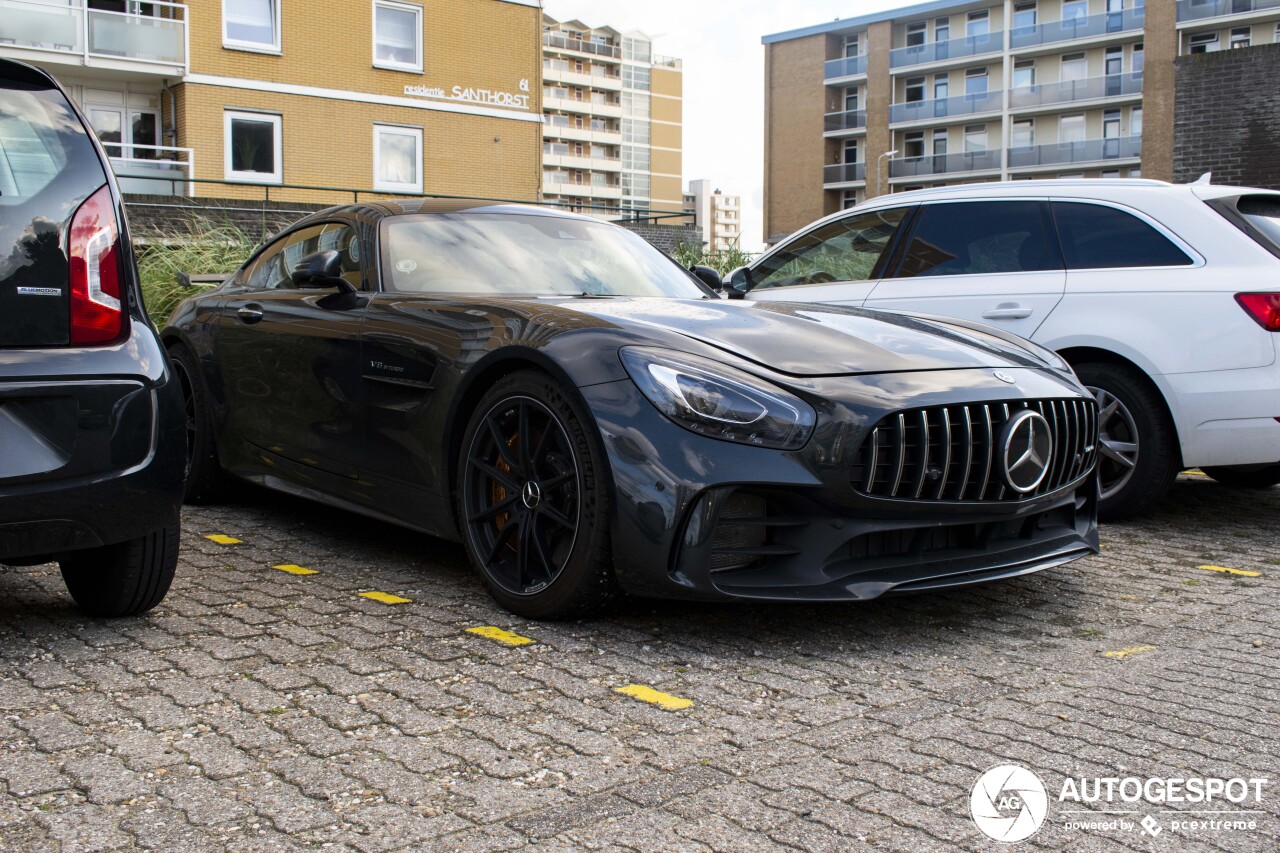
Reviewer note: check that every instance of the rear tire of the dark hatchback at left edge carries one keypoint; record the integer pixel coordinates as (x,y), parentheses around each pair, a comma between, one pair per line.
(124,580)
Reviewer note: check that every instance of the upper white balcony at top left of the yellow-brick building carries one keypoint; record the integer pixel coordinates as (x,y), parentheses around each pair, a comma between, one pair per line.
(75,34)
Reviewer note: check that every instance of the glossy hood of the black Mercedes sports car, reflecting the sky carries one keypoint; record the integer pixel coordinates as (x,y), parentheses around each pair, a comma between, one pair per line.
(804,340)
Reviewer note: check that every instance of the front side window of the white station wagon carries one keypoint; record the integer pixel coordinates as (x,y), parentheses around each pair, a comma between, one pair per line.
(847,250)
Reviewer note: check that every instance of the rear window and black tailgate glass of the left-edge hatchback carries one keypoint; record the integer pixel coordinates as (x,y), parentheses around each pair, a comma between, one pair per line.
(48,167)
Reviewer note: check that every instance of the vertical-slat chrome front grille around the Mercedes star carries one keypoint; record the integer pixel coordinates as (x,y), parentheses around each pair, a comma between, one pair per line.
(953,453)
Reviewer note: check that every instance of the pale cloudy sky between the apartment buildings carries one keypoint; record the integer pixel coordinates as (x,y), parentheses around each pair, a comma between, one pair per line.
(724,61)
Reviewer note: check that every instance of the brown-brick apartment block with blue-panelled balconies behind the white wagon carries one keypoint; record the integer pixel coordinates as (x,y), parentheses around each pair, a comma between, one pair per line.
(956,93)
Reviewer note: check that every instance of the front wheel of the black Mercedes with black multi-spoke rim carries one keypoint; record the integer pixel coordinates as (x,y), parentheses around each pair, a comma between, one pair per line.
(533,501)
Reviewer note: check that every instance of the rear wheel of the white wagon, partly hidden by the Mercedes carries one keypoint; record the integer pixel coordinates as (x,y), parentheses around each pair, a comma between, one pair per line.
(1139,448)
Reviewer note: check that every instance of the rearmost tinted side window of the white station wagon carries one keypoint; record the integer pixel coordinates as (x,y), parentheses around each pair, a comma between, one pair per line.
(1101,238)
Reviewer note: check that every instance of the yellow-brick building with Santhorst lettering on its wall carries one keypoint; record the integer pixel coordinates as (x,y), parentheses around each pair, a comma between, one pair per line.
(373,95)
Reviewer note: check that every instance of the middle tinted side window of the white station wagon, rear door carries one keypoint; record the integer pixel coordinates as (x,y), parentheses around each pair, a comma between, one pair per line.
(981,238)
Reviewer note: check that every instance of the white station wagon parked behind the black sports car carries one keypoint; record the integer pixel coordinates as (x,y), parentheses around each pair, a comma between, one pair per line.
(1164,299)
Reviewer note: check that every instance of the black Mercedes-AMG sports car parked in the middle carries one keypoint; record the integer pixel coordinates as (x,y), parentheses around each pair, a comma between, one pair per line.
(592,419)
